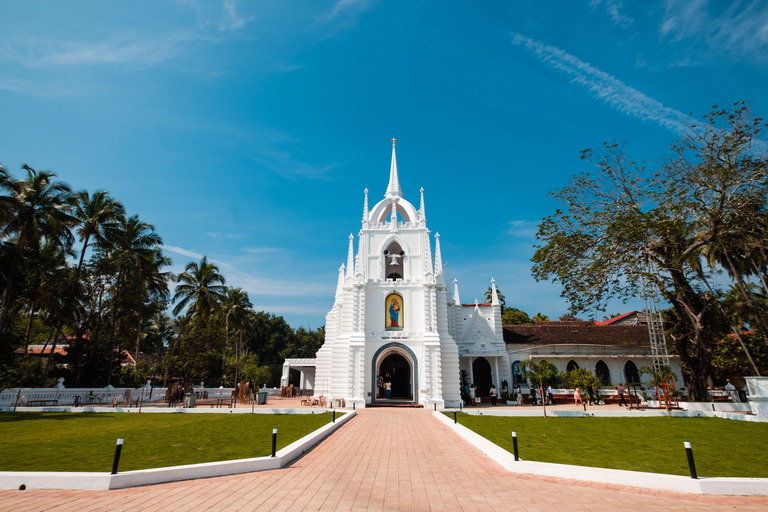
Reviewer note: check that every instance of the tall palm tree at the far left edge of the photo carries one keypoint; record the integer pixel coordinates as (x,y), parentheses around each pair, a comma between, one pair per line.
(39,208)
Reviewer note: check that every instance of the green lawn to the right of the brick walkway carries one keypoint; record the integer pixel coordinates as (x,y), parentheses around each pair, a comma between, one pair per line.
(720,447)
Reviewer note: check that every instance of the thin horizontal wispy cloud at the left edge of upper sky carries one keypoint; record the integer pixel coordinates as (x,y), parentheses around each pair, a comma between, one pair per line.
(123,49)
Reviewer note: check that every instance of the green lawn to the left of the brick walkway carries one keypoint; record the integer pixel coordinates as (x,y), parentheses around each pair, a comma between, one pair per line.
(86,441)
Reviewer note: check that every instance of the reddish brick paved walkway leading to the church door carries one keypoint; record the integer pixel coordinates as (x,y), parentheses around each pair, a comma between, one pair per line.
(385,459)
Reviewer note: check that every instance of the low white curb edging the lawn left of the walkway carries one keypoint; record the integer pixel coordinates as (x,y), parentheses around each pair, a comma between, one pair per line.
(104,481)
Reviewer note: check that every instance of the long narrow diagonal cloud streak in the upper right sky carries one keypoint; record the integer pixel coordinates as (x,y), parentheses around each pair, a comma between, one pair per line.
(605,87)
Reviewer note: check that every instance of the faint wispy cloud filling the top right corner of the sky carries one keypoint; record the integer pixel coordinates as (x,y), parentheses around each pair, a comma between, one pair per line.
(717,29)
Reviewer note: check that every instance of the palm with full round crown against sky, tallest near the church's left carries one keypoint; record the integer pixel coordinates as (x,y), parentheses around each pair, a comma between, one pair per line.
(199,292)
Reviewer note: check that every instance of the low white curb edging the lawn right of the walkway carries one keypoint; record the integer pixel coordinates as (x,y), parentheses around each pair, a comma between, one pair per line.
(676,483)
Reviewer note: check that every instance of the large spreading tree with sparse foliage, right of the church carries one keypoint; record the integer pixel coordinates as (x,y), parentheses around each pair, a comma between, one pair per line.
(625,227)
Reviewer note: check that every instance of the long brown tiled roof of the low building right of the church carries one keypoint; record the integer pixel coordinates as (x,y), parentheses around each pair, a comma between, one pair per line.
(576,332)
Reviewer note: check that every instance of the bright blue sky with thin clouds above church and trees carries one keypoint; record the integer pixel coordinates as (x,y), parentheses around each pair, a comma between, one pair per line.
(247,131)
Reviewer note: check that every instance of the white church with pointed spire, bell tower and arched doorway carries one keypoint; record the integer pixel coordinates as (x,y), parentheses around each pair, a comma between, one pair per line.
(397,318)
